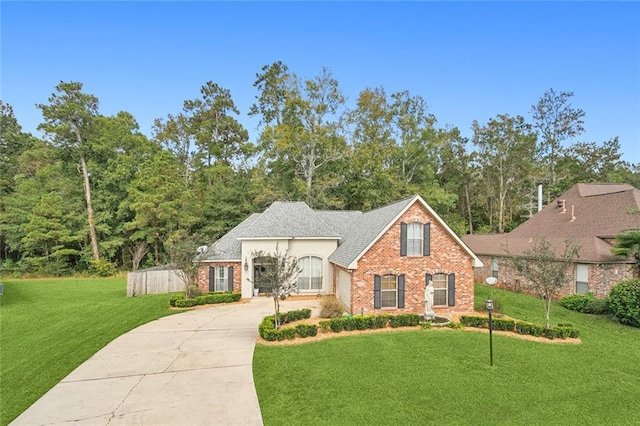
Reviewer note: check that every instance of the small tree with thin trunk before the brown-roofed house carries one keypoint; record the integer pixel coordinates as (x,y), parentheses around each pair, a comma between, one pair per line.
(546,273)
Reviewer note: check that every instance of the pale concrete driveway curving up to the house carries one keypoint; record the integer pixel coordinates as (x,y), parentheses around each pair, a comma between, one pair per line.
(192,368)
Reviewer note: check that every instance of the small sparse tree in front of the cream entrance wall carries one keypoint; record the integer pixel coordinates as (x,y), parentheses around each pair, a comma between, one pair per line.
(280,277)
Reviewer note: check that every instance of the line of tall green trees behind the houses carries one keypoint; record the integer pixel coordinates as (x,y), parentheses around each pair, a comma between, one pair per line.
(95,195)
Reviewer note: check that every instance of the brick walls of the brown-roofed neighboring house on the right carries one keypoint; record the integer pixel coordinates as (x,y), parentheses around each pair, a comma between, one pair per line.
(602,277)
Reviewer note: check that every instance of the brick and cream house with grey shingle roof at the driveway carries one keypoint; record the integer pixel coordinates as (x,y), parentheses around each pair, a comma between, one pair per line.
(378,261)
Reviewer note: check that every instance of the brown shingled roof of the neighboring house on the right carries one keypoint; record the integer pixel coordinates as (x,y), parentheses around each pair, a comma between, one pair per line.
(594,214)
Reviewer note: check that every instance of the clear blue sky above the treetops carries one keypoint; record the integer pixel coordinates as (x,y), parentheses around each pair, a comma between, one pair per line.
(468,60)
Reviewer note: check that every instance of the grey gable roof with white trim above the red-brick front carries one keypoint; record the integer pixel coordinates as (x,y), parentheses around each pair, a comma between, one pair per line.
(373,224)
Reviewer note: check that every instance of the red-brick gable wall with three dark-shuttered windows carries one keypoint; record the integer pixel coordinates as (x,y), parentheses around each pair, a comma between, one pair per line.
(384,258)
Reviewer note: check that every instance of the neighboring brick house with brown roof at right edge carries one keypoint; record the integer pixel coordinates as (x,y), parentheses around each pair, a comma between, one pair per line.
(590,215)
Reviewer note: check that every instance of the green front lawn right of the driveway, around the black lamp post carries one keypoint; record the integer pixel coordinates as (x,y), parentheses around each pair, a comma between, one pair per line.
(444,377)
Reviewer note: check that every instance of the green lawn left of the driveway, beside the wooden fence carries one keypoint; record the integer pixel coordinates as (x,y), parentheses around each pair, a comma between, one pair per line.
(49,327)
